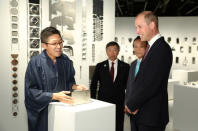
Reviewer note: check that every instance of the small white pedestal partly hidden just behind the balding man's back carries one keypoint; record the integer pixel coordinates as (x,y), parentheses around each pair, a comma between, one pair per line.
(171,83)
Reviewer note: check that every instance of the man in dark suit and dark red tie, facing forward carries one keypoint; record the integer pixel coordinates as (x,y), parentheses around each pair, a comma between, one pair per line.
(112,76)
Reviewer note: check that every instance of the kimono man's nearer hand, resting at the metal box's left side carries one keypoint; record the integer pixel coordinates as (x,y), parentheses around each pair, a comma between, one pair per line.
(63,97)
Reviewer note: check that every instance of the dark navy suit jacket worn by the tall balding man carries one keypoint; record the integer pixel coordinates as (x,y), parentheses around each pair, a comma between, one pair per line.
(148,92)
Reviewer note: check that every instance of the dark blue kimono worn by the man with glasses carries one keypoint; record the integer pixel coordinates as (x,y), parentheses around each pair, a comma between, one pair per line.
(42,79)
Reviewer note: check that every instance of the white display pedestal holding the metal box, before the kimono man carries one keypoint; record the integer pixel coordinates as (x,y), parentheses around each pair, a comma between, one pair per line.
(94,116)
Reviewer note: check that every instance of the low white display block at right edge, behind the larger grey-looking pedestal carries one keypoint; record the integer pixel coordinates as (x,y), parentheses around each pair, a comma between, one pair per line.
(185,75)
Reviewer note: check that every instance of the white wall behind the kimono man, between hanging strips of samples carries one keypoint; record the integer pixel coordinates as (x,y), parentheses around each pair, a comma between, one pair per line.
(19,123)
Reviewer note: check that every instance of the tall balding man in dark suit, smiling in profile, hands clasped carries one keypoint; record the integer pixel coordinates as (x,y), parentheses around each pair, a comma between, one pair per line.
(147,101)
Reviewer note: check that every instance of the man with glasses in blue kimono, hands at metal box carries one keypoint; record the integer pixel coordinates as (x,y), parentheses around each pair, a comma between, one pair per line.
(48,78)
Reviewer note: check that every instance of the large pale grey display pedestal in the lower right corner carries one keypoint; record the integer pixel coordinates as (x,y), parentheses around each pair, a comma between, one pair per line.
(185,108)
